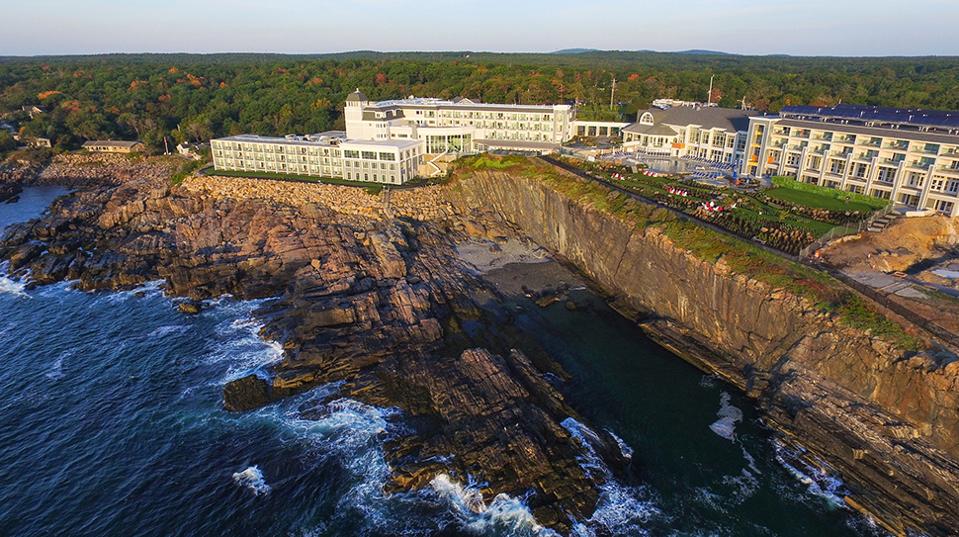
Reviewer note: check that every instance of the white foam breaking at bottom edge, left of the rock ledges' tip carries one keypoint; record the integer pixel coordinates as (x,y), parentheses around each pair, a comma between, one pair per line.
(503,515)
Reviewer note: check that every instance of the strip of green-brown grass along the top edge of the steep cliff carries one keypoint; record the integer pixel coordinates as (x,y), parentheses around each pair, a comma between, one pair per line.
(739,255)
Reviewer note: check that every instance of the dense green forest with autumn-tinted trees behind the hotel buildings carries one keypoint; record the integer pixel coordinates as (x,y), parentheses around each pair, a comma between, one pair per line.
(194,97)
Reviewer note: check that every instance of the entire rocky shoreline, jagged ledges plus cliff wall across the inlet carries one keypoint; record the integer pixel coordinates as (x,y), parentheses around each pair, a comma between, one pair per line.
(378,299)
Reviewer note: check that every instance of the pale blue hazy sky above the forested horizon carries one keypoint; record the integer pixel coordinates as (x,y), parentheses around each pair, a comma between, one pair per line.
(798,27)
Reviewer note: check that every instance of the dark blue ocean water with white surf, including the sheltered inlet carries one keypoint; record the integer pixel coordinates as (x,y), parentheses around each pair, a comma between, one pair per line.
(112,424)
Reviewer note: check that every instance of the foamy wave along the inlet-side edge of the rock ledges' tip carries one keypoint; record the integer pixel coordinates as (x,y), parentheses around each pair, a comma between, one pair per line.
(621,509)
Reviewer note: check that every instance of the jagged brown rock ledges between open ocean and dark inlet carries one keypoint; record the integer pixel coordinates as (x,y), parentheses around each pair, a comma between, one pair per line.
(377,305)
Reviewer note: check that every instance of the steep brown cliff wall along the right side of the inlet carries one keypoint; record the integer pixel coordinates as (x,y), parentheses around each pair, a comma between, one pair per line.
(885,419)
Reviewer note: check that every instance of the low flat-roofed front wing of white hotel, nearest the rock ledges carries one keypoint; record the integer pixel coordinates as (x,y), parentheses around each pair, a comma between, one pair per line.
(328,154)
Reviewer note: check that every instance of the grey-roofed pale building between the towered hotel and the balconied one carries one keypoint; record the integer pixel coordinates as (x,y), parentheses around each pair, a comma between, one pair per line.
(706,132)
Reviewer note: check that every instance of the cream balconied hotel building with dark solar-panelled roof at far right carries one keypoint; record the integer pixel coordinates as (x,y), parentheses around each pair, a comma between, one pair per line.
(908,156)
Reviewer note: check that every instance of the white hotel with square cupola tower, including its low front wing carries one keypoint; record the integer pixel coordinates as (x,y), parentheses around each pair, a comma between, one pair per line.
(394,141)
